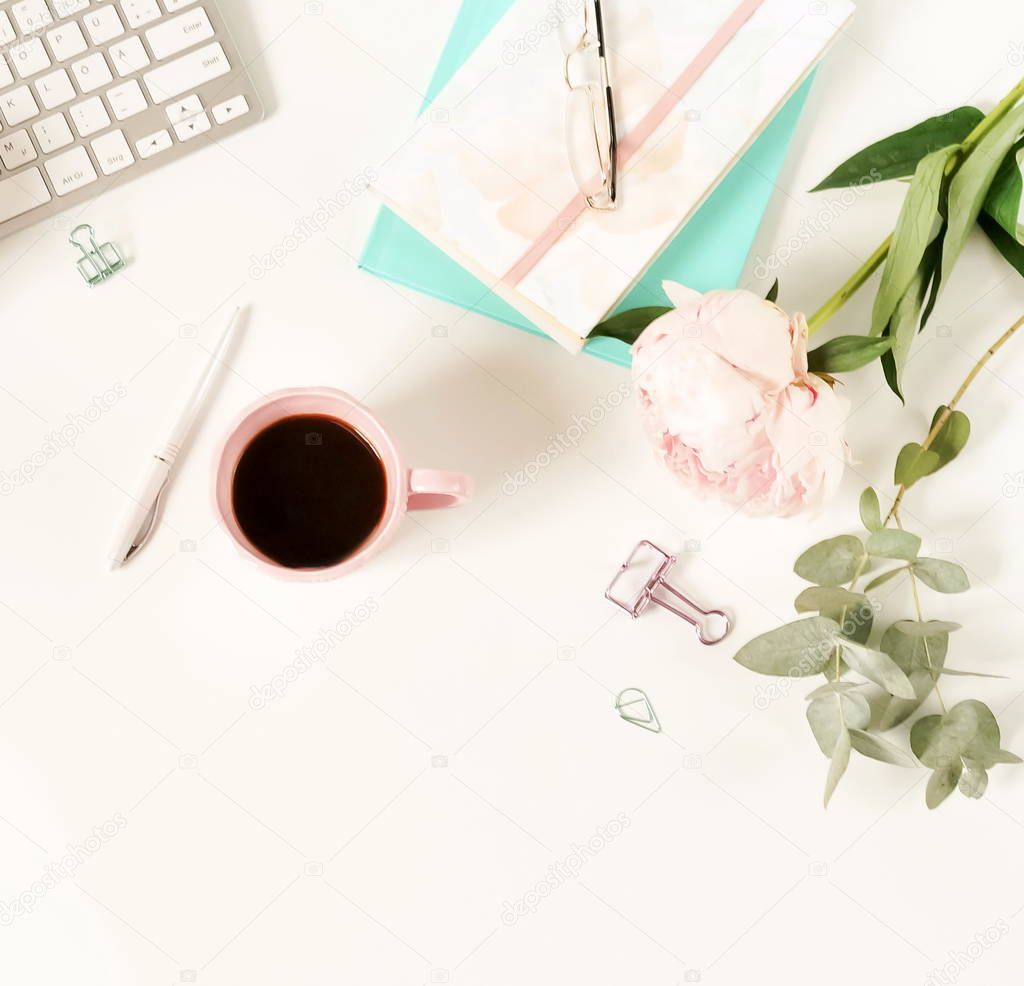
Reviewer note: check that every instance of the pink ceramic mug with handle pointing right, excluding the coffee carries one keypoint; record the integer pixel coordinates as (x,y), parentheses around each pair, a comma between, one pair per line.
(407,489)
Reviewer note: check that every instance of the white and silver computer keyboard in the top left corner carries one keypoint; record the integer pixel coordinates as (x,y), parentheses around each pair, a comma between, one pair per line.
(97,92)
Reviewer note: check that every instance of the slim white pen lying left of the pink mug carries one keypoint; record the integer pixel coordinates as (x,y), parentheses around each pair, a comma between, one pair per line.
(141,524)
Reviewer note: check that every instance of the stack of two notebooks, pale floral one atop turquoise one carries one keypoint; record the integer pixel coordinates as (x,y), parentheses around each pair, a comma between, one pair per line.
(708,92)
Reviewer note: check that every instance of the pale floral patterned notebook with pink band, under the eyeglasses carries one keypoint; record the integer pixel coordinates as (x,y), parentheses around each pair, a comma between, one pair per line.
(486,177)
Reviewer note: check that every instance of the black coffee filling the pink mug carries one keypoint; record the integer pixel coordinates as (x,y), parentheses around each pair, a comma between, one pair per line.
(309,491)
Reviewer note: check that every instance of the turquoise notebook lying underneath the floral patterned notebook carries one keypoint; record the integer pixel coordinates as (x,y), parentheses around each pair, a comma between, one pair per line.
(709,253)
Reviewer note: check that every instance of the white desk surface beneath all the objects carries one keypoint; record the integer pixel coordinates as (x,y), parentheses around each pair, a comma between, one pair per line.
(371,824)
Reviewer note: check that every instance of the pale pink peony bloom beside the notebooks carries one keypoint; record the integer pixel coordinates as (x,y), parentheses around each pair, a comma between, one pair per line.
(730,405)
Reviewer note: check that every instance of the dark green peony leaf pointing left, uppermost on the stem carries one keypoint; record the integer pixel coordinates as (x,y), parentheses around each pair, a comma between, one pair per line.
(898,156)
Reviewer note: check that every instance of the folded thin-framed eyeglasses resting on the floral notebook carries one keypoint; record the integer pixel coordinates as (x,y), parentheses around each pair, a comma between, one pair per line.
(590,117)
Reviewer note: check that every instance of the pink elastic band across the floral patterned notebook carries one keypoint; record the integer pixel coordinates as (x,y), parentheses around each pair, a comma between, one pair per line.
(636,139)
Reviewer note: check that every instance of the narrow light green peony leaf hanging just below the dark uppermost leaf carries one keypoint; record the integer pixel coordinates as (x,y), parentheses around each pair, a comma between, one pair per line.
(919,224)
